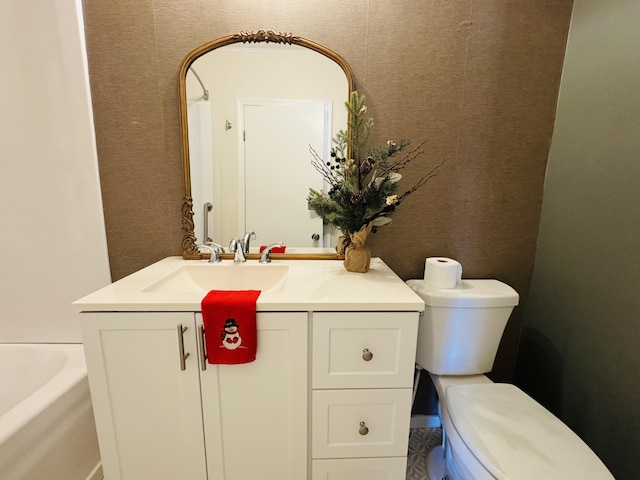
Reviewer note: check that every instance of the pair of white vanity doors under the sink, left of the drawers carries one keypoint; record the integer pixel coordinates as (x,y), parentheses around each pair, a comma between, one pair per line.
(226,422)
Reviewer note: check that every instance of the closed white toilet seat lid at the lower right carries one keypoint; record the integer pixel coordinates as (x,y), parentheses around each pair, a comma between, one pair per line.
(514,437)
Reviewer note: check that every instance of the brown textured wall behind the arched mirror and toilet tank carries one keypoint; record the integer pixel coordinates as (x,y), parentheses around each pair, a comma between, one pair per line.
(477,79)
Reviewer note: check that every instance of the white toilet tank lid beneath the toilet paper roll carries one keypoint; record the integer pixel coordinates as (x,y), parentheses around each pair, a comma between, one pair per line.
(470,294)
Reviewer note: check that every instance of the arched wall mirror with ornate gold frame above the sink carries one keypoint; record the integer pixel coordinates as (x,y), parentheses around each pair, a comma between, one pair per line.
(251,105)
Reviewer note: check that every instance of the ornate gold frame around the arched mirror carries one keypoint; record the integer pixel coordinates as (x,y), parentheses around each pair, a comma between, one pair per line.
(189,246)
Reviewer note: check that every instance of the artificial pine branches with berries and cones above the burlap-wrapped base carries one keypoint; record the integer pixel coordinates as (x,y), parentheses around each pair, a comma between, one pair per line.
(362,188)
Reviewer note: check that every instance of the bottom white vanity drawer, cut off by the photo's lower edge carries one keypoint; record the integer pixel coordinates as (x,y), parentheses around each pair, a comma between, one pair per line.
(392,468)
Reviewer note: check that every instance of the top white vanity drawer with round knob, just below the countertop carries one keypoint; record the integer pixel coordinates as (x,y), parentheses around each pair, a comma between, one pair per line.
(364,349)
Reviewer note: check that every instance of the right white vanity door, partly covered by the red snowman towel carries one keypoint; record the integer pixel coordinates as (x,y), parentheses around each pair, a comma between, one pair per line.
(255,414)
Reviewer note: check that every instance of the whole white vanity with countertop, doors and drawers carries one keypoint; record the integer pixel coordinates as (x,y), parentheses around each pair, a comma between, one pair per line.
(327,398)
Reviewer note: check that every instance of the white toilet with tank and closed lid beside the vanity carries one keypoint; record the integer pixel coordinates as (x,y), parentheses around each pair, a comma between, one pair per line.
(490,430)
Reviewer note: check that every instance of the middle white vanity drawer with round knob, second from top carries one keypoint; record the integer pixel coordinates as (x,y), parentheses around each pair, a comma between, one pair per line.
(360,423)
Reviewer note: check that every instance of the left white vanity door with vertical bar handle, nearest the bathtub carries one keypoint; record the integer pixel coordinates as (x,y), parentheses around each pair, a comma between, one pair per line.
(147,410)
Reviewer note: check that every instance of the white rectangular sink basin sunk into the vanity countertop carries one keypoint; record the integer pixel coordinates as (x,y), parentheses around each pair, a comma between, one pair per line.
(224,276)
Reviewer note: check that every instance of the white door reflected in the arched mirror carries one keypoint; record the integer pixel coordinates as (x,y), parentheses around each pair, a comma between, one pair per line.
(276,137)
